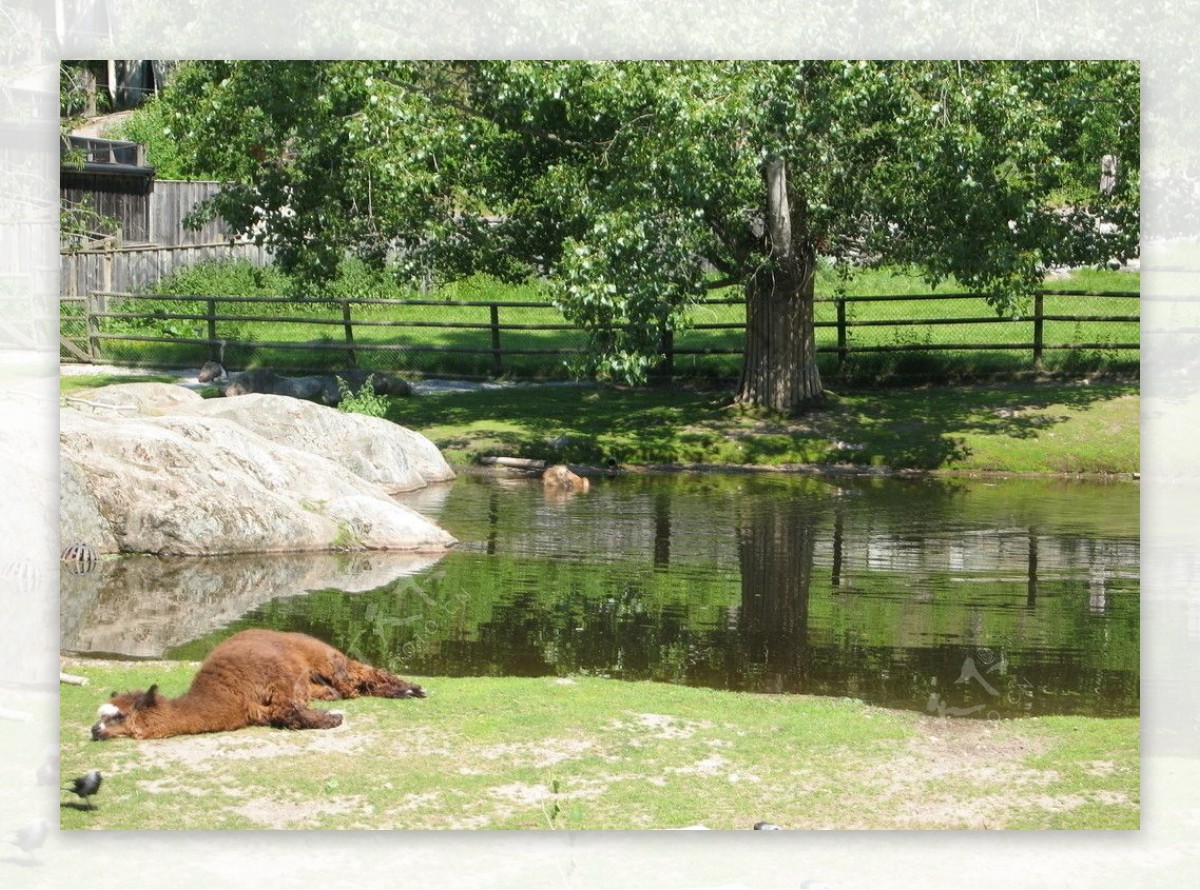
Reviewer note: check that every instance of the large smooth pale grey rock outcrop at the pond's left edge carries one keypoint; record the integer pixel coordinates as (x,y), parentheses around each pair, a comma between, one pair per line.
(170,477)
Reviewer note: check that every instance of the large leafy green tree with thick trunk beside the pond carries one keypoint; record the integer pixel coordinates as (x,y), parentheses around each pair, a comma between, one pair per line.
(635,188)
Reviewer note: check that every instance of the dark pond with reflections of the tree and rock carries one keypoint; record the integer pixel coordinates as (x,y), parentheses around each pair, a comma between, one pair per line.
(965,598)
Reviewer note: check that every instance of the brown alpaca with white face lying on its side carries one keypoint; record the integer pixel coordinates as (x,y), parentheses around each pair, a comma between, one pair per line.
(255,678)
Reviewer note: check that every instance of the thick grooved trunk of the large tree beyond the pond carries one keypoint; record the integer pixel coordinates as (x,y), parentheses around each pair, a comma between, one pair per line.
(779,369)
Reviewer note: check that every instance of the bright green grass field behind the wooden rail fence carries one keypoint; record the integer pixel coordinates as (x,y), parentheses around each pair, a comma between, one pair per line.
(460,342)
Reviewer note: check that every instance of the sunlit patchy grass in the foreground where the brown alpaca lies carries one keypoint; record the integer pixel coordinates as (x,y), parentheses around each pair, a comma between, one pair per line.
(596,754)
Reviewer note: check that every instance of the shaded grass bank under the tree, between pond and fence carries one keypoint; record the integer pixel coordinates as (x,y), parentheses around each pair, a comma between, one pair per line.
(1022,428)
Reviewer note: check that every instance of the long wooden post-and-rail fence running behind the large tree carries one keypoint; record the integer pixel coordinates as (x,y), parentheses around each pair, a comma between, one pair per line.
(109,326)
